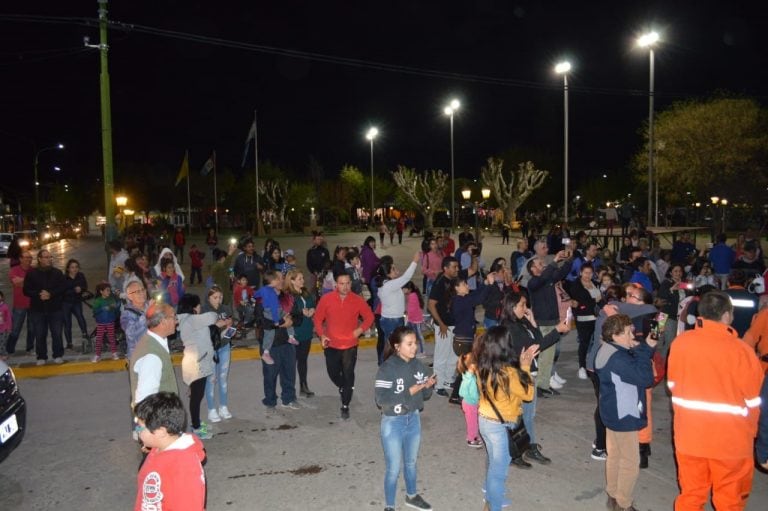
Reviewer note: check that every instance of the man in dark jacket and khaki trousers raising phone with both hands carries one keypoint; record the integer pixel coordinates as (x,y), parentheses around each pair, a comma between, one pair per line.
(544,302)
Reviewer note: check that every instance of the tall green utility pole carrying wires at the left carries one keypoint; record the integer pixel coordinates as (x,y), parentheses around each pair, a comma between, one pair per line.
(110,229)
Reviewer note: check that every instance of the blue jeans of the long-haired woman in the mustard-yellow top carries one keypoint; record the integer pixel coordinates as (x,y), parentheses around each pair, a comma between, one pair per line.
(496,441)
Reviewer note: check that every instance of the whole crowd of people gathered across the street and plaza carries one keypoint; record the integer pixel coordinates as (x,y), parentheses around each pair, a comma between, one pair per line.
(696,317)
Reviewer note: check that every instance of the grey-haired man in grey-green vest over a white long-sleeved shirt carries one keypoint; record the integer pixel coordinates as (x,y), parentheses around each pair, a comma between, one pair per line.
(151,369)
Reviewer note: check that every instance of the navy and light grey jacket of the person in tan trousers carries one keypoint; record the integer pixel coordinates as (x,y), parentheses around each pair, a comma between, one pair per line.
(624,375)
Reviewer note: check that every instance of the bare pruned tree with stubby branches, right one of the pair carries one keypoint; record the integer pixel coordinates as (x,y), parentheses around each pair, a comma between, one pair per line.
(512,191)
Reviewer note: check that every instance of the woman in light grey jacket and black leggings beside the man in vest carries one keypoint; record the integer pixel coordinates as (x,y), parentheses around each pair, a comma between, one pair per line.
(198,361)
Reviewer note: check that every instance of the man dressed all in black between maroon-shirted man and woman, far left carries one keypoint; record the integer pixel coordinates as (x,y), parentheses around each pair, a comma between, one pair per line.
(45,285)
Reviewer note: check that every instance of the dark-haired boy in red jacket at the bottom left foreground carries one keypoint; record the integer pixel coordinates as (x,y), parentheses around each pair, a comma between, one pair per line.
(172,476)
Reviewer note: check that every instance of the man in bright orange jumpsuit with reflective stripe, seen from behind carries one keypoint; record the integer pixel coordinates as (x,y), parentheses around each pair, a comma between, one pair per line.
(715,381)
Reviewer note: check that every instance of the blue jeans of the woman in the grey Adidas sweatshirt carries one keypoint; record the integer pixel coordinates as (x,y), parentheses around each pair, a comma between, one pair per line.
(400,438)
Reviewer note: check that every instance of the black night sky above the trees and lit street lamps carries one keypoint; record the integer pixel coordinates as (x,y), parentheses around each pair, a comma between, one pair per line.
(169,95)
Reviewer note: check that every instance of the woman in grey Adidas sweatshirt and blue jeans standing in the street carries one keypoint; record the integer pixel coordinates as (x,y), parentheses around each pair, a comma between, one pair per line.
(401,387)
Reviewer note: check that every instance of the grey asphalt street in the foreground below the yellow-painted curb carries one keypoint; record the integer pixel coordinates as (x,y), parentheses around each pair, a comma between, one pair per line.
(78,454)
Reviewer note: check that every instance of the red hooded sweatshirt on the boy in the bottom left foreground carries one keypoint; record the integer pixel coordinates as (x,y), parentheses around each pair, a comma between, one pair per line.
(173,479)
